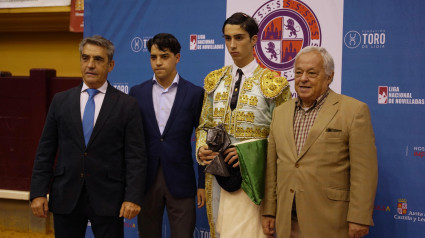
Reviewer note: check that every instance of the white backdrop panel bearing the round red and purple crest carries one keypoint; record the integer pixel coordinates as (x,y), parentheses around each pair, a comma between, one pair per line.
(288,26)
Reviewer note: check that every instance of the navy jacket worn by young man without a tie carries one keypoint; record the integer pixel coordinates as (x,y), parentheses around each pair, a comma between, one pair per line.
(173,148)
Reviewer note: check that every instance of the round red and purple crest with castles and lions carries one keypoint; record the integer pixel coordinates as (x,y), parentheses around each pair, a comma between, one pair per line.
(284,29)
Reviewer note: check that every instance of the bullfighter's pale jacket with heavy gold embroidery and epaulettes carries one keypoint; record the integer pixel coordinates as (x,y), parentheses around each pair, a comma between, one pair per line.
(251,118)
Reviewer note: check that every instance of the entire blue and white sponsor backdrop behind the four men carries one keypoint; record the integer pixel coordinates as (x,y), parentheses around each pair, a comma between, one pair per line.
(378,48)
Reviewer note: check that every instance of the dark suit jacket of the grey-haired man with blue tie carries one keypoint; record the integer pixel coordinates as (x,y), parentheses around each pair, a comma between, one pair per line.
(112,166)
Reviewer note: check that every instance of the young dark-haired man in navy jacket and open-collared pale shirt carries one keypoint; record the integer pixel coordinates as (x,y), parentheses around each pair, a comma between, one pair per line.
(170,108)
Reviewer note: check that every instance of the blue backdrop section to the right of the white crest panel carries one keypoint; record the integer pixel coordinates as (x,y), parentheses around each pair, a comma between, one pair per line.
(383,60)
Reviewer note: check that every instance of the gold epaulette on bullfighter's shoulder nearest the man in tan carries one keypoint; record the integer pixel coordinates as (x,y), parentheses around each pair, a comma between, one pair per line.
(272,84)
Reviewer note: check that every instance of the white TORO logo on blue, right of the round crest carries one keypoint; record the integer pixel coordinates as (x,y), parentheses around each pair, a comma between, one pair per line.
(367,39)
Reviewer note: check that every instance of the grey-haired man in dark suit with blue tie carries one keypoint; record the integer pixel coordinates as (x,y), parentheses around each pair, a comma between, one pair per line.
(101,164)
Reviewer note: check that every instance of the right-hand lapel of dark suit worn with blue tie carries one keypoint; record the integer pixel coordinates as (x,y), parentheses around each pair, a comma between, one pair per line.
(111,98)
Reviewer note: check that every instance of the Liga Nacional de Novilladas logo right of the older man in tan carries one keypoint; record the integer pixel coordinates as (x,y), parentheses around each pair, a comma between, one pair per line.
(393,95)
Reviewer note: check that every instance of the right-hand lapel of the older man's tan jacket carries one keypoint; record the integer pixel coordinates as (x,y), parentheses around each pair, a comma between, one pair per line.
(328,111)
